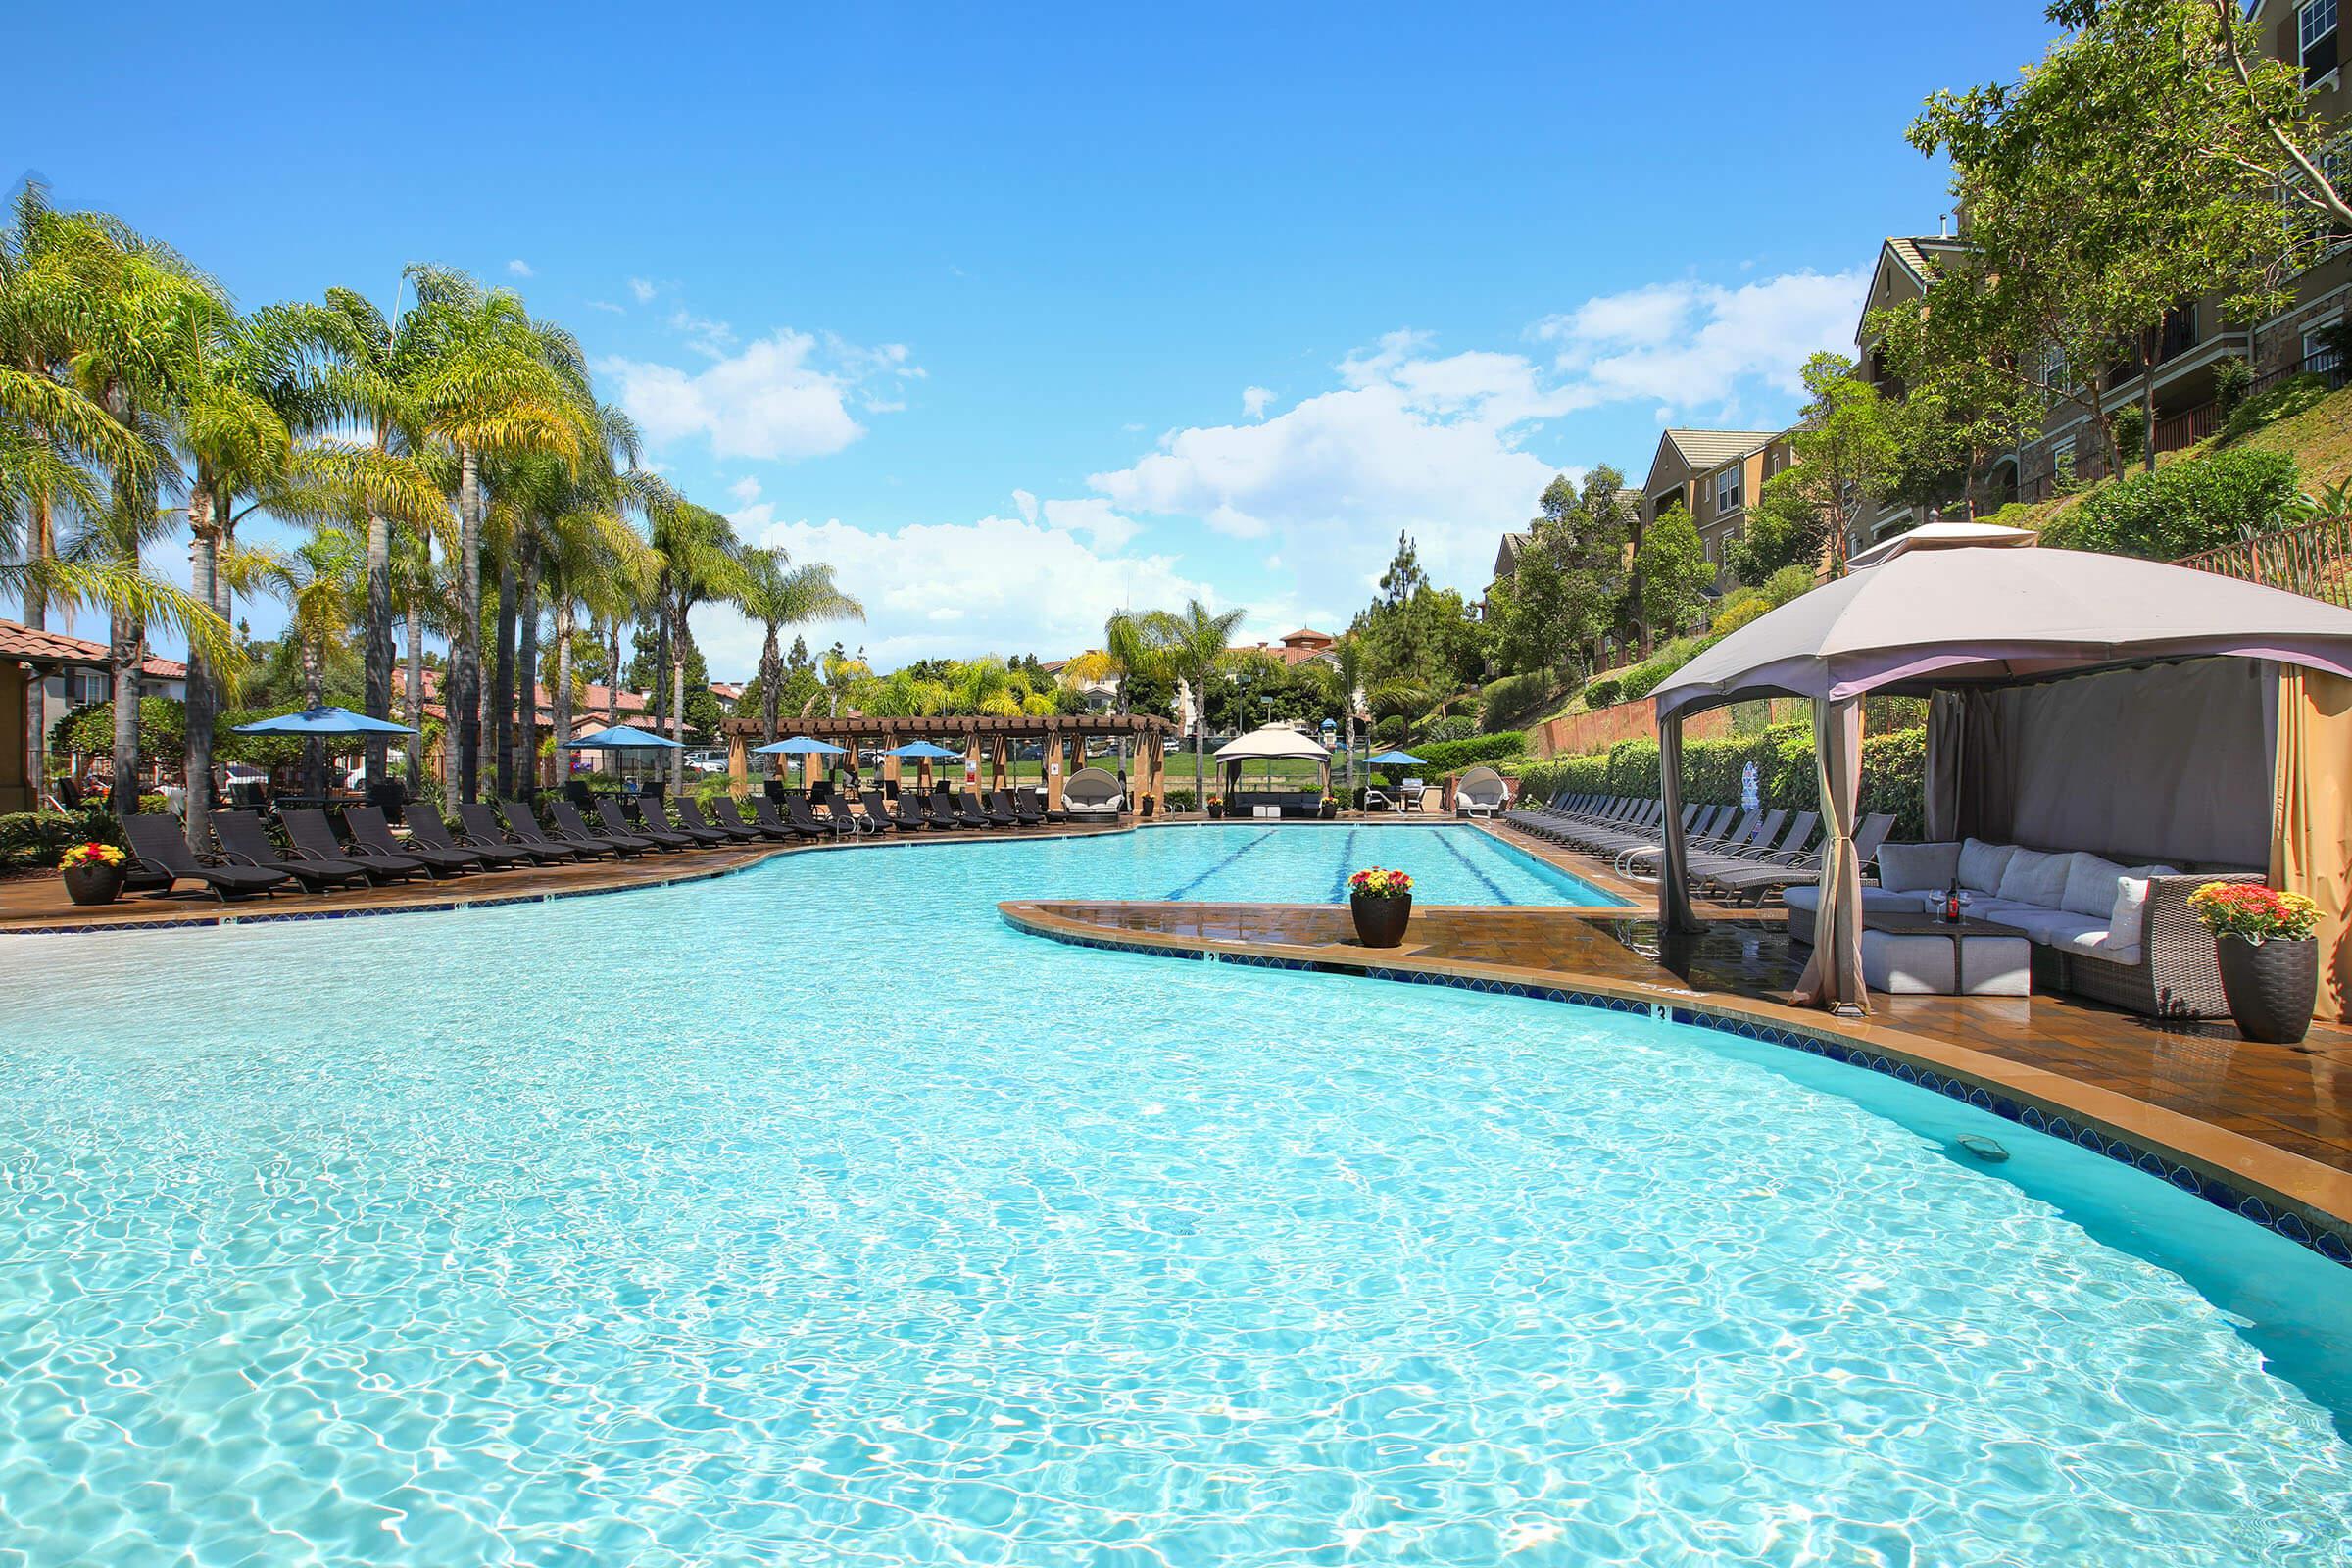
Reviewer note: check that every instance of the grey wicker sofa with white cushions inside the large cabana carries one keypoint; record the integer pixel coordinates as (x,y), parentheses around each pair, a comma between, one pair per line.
(2146,951)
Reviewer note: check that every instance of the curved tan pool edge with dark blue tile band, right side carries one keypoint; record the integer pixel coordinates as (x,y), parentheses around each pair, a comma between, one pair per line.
(2273,1188)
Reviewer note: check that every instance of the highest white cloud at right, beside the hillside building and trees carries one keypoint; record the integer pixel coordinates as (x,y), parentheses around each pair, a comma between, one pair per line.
(1704,347)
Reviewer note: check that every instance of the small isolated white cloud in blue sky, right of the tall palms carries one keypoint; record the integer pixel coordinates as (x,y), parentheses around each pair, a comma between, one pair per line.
(787,396)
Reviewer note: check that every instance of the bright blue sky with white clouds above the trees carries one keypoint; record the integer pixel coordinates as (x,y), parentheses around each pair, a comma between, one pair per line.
(1020,316)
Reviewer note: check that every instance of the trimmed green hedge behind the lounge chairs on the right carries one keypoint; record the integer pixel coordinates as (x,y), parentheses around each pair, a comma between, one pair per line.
(1895,772)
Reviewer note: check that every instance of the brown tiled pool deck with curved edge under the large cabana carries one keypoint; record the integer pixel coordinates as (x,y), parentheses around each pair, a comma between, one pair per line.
(2273,1123)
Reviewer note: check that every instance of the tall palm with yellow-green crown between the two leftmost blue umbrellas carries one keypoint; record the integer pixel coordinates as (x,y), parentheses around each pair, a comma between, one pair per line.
(490,384)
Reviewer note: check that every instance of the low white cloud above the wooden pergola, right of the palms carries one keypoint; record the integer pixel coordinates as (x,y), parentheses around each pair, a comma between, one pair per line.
(991,587)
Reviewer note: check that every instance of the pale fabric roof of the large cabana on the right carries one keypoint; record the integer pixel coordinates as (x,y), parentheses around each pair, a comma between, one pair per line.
(1998,617)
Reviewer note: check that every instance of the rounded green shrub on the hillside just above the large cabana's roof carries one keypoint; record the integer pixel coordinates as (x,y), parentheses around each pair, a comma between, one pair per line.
(2189,507)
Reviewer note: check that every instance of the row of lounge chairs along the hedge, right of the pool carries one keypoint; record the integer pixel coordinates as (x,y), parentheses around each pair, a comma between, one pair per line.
(1742,857)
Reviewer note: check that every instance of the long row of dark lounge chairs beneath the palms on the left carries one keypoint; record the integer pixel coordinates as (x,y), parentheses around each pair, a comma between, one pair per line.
(512,836)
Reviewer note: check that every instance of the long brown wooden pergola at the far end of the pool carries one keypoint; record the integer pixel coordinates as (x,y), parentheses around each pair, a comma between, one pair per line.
(984,739)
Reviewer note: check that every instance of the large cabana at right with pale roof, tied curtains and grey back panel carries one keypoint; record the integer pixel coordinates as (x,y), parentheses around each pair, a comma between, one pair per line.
(2221,718)
